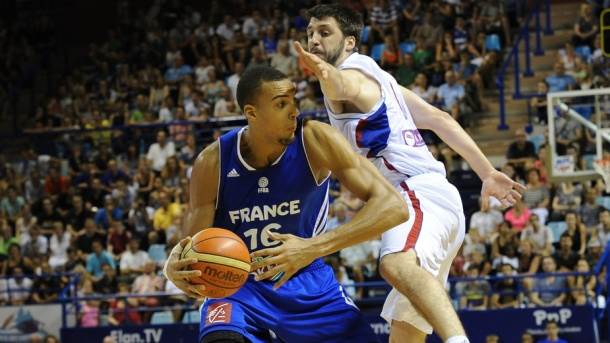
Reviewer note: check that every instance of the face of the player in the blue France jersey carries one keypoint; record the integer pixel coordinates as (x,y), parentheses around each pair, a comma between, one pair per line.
(277,108)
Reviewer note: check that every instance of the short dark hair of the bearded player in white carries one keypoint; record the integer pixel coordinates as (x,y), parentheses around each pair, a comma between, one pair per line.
(350,21)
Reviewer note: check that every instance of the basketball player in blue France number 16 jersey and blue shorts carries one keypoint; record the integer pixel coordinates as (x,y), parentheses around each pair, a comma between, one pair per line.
(271,178)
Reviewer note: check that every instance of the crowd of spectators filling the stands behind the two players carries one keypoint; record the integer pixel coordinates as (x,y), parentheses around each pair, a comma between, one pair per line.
(107,204)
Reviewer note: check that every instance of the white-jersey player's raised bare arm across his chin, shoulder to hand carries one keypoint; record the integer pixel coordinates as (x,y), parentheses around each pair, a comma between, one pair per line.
(342,88)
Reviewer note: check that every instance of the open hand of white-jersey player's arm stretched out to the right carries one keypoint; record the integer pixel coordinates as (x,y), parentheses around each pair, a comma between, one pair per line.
(500,186)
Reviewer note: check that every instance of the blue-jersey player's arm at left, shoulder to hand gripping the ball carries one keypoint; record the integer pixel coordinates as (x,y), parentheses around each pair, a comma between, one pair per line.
(203,187)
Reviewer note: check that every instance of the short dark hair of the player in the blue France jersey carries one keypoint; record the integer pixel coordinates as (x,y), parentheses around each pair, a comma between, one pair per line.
(252,79)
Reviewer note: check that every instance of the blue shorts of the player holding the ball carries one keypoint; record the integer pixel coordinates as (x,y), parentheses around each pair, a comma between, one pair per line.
(310,307)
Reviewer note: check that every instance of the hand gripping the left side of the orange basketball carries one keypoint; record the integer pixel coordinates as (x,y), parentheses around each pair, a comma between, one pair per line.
(175,270)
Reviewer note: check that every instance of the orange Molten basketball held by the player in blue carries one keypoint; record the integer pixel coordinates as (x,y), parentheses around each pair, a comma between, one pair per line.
(223,259)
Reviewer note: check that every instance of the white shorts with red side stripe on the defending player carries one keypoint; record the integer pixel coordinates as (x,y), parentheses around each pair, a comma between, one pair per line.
(435,230)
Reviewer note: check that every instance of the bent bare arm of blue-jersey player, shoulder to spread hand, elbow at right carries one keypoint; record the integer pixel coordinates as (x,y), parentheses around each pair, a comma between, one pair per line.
(384,208)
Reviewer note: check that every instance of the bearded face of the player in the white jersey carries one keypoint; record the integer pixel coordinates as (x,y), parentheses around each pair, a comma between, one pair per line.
(325,39)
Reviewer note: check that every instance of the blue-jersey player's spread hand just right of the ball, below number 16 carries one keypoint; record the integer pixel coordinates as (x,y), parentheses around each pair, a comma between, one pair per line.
(288,258)
